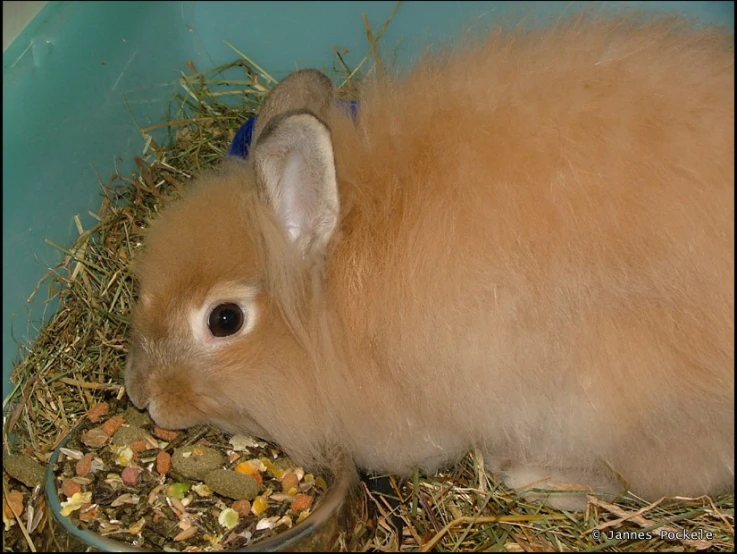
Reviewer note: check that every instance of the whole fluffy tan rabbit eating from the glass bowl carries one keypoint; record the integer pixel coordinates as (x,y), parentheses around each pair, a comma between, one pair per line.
(524,246)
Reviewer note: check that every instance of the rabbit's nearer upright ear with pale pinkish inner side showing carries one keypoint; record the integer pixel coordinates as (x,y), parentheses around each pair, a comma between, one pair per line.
(295,168)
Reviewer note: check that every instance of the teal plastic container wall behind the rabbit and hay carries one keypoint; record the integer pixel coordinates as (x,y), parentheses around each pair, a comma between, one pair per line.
(82,78)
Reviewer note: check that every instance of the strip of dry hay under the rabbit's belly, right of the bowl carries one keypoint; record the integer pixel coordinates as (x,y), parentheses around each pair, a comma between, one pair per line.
(467,510)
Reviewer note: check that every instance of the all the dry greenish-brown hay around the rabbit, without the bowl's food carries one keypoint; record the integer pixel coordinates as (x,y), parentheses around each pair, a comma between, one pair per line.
(79,355)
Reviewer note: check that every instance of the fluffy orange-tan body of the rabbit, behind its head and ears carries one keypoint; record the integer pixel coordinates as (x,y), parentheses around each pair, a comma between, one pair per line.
(540,228)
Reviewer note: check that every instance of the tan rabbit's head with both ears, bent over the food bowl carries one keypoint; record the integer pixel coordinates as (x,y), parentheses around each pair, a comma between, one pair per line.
(223,280)
